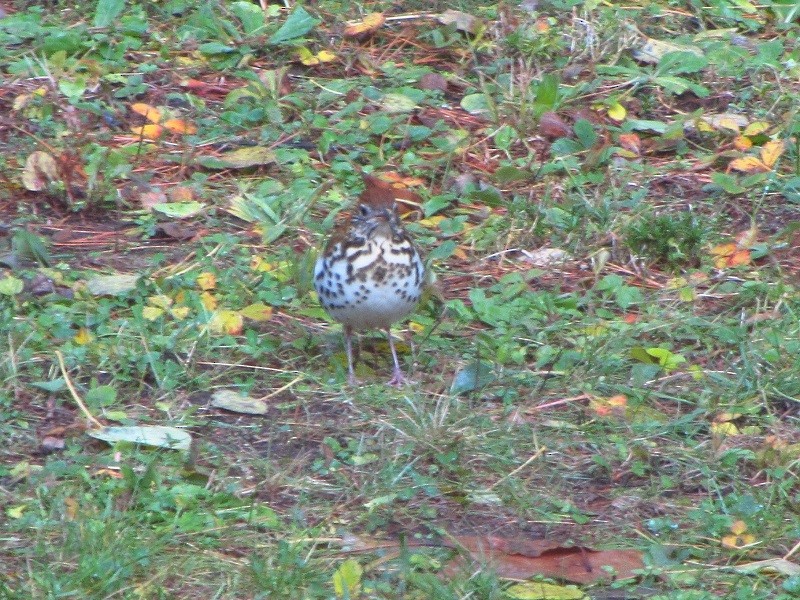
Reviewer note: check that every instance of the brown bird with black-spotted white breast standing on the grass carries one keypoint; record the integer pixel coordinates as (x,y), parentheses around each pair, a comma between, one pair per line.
(370,274)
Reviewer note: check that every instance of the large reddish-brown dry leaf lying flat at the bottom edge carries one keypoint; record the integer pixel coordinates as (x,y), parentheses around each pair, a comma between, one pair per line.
(526,558)
